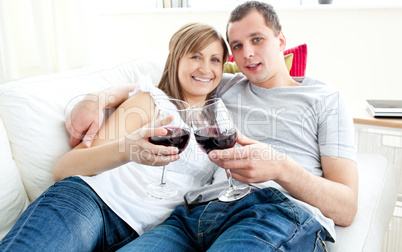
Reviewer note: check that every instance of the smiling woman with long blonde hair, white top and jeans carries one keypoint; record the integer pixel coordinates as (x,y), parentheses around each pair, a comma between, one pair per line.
(100,202)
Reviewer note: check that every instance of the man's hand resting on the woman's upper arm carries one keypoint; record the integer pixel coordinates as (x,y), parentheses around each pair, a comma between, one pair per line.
(84,121)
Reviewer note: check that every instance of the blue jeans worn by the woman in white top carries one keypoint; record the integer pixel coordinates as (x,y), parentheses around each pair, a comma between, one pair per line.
(69,216)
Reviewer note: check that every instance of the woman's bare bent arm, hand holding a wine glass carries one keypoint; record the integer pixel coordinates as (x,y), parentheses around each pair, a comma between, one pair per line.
(120,140)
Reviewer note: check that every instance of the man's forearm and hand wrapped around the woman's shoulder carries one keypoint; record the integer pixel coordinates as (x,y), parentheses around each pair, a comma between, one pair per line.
(84,121)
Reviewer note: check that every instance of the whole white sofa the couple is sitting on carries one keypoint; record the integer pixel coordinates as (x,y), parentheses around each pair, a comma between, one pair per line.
(33,137)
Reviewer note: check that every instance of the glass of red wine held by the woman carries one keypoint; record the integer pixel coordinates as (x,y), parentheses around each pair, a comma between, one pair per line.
(178,135)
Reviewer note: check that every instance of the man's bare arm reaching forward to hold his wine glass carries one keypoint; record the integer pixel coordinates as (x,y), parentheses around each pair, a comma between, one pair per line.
(335,194)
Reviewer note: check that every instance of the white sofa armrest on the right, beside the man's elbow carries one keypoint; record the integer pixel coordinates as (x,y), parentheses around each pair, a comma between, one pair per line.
(377,198)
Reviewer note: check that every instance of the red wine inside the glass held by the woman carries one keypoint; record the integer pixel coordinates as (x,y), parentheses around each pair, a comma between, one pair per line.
(176,137)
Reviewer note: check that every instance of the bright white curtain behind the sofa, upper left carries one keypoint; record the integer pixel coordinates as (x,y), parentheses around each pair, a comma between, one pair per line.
(42,36)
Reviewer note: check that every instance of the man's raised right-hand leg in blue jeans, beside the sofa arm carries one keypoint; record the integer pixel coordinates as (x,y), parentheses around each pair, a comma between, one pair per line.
(267,221)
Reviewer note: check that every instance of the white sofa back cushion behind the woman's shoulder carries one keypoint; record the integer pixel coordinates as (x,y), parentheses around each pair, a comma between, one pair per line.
(33,111)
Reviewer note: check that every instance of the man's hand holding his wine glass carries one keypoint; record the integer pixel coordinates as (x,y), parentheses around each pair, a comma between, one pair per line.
(253,162)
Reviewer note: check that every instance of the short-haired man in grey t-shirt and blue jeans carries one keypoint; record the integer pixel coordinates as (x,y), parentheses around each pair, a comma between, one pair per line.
(300,161)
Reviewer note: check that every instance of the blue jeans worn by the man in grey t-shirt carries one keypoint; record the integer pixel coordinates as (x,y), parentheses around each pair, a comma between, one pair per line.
(264,220)
